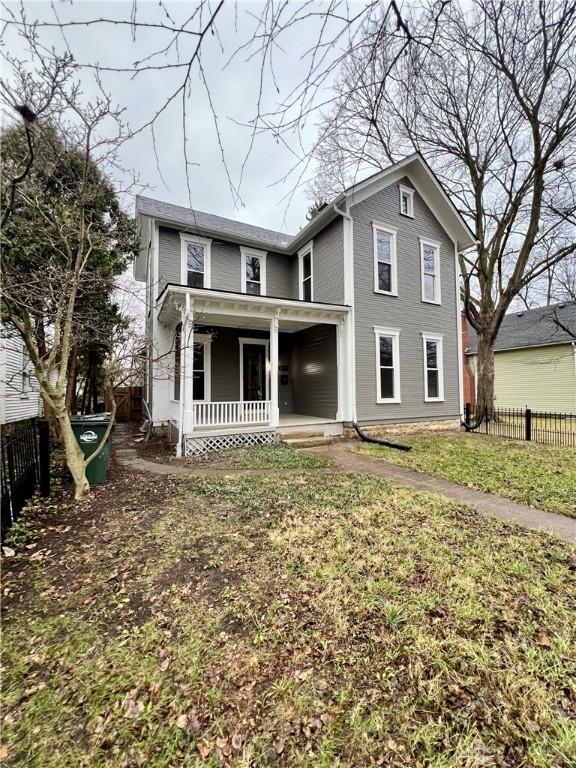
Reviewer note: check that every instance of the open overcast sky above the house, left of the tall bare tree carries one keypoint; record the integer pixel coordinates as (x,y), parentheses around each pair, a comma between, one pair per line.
(234,91)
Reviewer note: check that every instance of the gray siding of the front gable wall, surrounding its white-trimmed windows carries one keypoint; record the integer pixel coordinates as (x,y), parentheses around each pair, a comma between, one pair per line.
(407,311)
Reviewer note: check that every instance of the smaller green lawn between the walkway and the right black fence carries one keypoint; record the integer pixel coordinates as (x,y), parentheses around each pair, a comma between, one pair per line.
(538,475)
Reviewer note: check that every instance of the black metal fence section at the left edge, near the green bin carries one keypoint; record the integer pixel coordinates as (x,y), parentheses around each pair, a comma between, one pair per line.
(25,449)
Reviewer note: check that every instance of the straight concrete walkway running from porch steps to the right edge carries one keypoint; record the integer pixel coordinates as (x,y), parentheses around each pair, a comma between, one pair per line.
(485,503)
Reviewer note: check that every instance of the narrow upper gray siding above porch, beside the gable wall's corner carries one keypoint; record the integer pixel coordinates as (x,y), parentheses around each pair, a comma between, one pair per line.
(328,264)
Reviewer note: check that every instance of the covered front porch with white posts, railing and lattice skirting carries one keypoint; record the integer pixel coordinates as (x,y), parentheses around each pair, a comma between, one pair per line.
(249,364)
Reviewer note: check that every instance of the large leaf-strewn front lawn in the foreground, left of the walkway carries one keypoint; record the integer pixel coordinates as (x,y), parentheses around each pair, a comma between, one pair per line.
(311,620)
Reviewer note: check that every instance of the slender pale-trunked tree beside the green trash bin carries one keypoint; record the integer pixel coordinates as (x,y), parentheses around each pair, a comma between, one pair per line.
(66,234)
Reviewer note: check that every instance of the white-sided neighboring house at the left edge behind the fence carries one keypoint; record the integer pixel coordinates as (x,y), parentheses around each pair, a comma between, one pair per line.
(19,391)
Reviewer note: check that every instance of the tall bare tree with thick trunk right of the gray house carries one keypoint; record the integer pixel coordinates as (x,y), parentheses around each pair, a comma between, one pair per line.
(492,106)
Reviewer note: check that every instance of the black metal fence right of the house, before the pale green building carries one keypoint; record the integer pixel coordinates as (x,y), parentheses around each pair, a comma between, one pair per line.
(546,427)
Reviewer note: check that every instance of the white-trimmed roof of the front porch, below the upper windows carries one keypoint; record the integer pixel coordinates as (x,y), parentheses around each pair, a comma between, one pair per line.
(229,308)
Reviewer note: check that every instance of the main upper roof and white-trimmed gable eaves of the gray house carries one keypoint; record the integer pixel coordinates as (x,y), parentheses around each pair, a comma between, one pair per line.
(414,166)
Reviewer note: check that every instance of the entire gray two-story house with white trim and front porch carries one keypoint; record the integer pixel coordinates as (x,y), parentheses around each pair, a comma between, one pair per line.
(353,319)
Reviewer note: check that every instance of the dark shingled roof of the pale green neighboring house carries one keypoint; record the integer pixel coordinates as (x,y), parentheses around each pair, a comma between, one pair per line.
(533,328)
